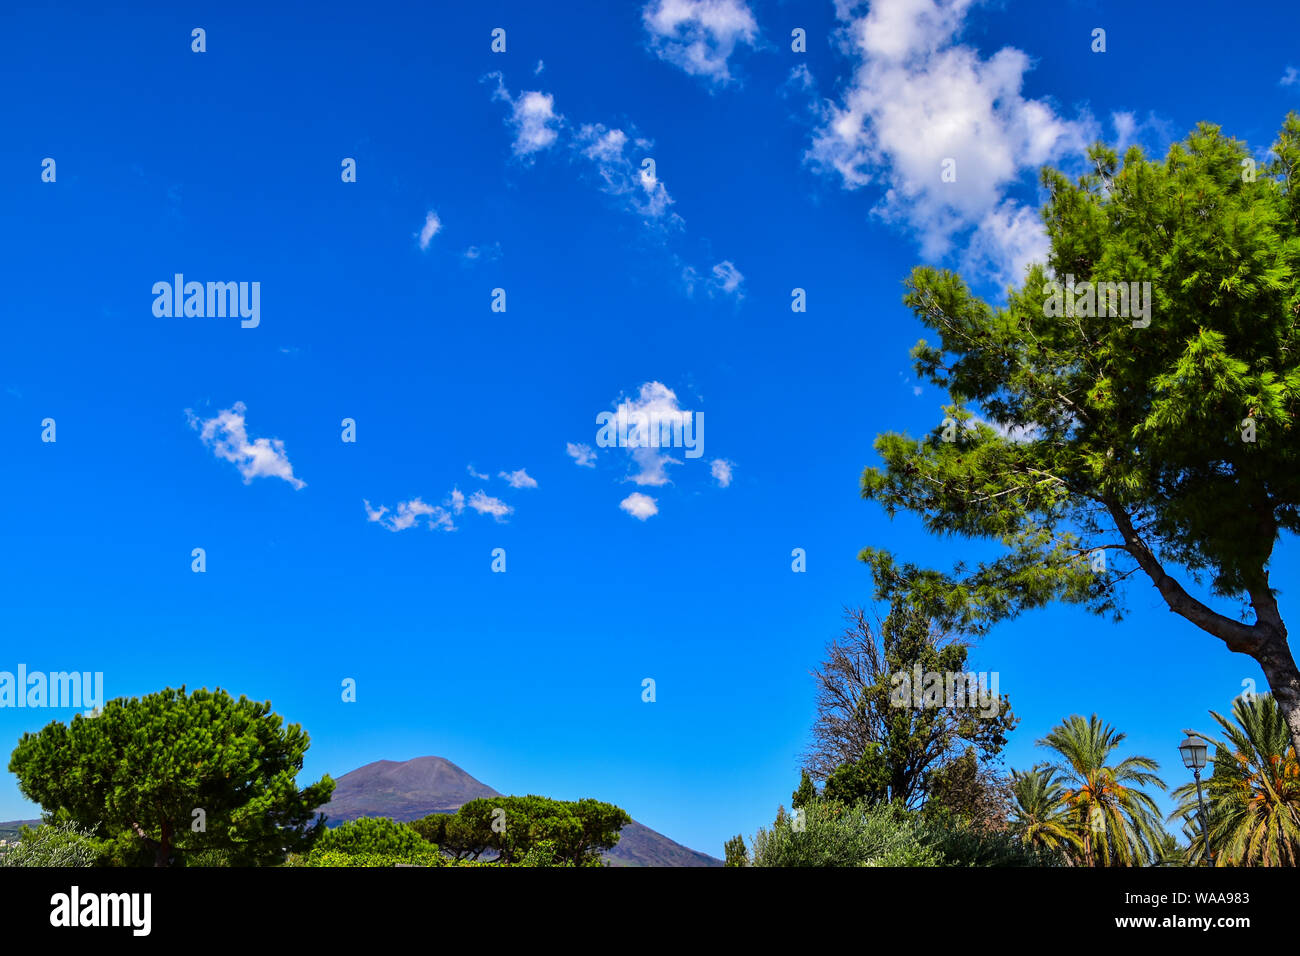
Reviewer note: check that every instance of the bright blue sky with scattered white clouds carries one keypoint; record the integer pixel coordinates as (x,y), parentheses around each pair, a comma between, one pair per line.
(523,171)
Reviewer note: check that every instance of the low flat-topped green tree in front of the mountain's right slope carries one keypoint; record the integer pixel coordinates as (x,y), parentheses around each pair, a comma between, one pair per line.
(509,828)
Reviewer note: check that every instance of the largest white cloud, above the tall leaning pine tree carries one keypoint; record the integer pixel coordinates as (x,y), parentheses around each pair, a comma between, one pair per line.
(920,98)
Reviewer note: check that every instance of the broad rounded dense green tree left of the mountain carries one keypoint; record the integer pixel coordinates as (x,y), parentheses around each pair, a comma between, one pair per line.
(140,771)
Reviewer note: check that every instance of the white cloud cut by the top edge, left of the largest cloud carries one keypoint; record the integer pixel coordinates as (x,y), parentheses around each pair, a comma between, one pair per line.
(700,36)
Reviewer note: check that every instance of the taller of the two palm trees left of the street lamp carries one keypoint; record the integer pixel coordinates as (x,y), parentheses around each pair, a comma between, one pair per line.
(1117,820)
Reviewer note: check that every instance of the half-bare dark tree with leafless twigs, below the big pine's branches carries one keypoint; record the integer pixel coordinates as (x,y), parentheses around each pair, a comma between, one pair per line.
(872,741)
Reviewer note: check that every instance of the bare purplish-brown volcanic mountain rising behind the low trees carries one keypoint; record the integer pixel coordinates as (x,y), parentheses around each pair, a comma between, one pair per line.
(414,789)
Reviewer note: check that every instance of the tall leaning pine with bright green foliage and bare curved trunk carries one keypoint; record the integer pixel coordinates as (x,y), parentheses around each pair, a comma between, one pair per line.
(1169,445)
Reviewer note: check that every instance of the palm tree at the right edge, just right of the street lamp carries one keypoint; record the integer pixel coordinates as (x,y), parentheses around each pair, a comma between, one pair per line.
(1254,793)
